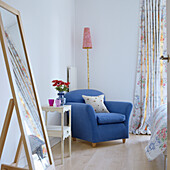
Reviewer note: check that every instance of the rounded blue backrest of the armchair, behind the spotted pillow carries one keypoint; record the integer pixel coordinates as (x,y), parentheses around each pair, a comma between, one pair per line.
(76,95)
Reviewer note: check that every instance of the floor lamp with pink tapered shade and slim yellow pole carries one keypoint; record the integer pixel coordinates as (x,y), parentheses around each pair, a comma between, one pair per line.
(87,44)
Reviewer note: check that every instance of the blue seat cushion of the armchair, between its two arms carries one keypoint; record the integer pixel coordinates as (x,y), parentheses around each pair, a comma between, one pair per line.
(109,118)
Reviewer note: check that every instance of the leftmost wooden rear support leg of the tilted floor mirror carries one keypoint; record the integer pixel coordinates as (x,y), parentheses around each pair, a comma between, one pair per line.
(6,125)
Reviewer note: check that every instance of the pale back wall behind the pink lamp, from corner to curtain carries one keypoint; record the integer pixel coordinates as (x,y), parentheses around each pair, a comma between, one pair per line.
(114,31)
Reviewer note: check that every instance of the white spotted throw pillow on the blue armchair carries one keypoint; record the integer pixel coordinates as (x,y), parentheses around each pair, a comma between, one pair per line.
(97,102)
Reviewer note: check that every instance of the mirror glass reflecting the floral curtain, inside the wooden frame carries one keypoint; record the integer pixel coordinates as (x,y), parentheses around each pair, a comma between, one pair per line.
(25,90)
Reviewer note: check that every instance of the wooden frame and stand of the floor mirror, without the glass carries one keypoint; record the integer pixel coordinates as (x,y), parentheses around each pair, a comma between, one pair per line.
(24,141)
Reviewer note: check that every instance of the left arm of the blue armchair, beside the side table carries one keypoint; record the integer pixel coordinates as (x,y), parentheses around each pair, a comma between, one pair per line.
(84,124)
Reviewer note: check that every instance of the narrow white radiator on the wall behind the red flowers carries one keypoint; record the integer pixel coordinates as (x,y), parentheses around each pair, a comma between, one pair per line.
(72,77)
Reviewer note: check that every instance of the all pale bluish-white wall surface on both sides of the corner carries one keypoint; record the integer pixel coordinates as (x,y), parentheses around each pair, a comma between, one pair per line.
(49,32)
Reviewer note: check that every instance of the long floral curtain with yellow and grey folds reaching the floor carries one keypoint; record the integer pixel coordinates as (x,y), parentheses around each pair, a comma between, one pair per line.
(151,74)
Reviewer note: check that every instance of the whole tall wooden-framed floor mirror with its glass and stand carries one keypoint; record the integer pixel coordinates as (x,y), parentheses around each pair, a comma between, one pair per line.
(25,100)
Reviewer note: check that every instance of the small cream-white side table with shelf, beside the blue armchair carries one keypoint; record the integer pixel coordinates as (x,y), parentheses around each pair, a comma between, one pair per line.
(59,131)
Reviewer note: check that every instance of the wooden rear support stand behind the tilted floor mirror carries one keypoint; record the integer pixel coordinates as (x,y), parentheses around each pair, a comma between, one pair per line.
(3,139)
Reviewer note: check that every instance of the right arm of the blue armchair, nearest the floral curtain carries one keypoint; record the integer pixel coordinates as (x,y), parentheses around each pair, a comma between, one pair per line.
(120,107)
